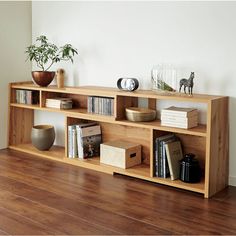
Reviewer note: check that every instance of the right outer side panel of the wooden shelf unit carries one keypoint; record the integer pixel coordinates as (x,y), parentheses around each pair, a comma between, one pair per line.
(218,146)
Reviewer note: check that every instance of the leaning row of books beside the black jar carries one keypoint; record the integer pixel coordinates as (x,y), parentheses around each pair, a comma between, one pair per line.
(167,153)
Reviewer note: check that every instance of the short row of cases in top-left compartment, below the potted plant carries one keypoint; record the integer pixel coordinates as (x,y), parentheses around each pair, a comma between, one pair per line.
(27,97)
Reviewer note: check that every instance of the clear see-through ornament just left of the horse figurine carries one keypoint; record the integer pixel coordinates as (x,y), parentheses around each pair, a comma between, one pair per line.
(163,78)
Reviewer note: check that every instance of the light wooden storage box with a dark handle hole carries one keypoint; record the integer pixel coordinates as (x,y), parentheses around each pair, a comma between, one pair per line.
(120,154)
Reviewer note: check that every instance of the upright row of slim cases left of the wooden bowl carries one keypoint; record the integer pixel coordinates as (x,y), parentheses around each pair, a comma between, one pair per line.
(101,105)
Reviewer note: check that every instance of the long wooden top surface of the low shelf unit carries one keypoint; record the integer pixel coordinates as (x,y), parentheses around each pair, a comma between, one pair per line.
(112,92)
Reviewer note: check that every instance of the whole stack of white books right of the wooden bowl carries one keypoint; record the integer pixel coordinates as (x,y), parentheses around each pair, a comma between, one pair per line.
(179,117)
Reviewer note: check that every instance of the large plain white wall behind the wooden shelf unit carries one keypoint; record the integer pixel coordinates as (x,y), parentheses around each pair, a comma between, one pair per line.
(127,38)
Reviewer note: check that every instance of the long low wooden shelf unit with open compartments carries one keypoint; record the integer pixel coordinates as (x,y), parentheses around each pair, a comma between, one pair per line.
(210,141)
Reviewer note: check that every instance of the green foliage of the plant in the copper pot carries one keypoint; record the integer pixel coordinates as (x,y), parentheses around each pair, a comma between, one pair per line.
(46,54)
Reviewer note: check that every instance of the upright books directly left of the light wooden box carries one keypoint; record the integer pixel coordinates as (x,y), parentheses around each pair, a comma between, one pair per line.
(84,140)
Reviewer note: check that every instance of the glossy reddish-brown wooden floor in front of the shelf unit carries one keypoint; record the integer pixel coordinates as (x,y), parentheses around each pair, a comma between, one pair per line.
(39,196)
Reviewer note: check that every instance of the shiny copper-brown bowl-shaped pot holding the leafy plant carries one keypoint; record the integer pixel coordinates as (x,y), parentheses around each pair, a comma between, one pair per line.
(43,78)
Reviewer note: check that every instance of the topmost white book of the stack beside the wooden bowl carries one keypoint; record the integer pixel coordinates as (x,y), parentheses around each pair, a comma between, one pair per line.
(179,111)
